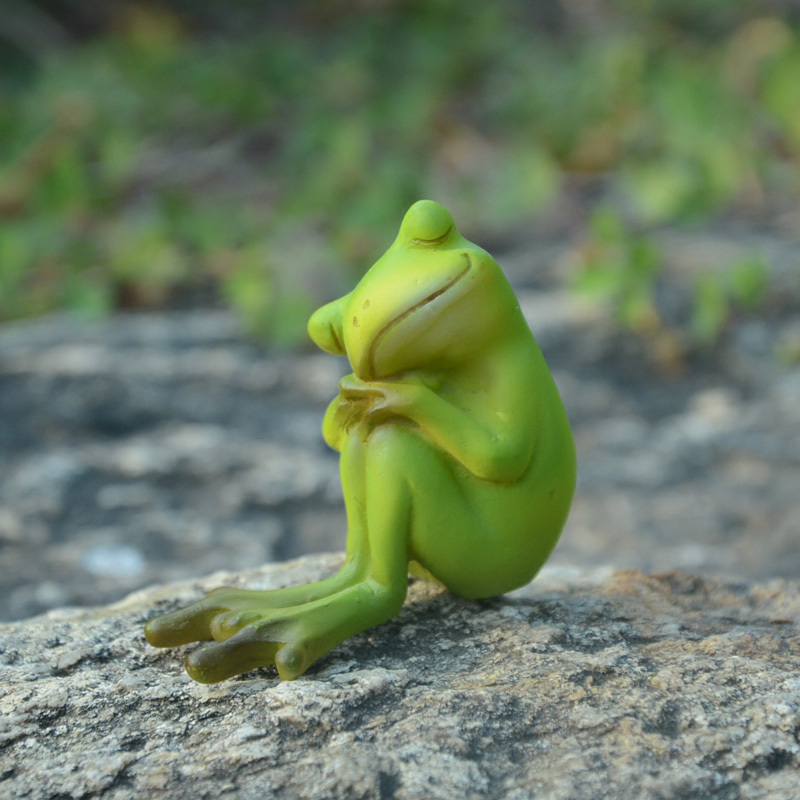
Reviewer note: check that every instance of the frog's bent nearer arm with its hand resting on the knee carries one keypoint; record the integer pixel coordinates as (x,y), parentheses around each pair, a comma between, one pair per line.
(496,445)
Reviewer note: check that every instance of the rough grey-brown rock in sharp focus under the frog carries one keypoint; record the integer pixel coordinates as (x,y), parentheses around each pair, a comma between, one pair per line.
(585,684)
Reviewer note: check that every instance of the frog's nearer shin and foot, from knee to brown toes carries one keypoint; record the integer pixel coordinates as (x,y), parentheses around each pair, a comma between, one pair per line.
(256,633)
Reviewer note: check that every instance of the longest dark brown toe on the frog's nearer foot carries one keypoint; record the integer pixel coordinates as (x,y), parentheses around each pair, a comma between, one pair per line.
(248,649)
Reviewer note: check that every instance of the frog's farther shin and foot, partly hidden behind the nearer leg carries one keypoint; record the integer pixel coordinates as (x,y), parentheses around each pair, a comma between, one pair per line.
(195,622)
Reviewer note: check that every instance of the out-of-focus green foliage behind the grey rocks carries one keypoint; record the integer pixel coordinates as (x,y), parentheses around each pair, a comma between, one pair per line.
(263,163)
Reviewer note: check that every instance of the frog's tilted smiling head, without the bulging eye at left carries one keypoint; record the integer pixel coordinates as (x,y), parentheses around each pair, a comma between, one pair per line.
(429,301)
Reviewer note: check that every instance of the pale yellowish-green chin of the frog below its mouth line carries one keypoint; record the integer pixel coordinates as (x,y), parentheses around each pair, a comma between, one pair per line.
(398,345)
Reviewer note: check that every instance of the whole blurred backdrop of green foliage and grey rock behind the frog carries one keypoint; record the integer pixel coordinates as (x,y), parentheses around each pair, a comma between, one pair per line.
(182,183)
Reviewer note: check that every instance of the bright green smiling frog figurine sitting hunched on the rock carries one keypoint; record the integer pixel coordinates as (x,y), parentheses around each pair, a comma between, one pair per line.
(457,460)
